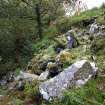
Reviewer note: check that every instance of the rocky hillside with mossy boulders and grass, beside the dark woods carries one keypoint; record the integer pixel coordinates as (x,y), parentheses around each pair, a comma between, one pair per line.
(69,70)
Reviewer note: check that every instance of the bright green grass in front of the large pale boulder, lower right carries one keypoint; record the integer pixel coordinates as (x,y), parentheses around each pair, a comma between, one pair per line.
(87,95)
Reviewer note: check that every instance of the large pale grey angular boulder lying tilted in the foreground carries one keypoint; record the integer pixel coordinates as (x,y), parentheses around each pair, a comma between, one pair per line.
(75,75)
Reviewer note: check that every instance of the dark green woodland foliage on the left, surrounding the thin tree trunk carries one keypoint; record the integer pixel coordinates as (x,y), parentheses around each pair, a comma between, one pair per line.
(19,29)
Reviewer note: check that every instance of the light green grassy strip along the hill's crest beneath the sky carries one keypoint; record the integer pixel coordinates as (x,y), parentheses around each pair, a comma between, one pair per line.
(64,24)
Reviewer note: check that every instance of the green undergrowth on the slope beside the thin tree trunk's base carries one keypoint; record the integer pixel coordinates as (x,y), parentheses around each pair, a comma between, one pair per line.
(47,39)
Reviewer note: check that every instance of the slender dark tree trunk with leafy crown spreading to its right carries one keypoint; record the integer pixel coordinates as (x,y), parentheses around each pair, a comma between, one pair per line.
(43,8)
